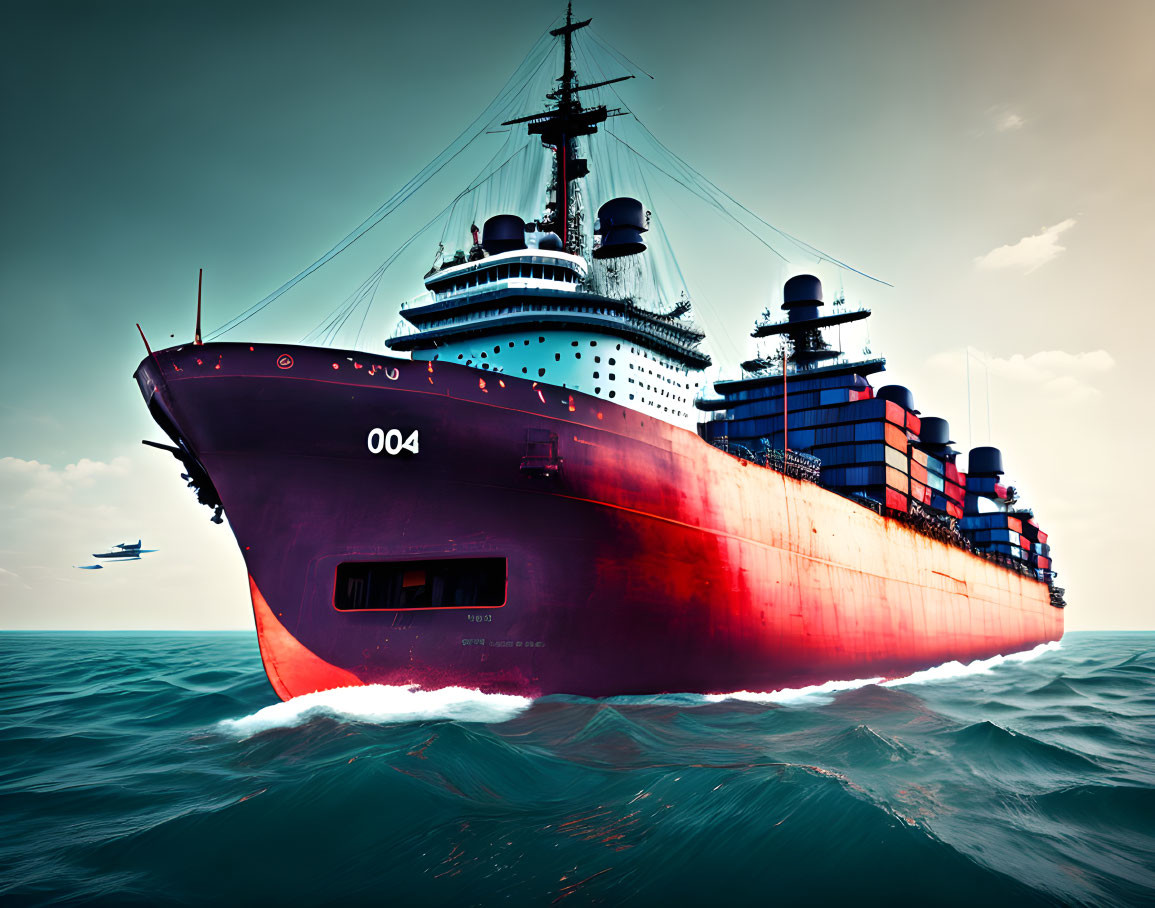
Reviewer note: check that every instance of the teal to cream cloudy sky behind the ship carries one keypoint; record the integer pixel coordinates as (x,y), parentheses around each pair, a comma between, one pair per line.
(990,161)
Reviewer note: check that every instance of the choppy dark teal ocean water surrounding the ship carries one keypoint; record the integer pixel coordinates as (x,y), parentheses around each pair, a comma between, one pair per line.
(148,769)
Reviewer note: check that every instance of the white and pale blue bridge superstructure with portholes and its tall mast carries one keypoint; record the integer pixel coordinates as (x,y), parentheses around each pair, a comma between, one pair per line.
(523,301)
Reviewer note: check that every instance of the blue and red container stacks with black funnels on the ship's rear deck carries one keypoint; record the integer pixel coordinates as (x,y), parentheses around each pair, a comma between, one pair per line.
(873,445)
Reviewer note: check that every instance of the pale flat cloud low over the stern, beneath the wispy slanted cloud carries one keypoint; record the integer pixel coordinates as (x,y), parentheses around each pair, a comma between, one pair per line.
(1059,374)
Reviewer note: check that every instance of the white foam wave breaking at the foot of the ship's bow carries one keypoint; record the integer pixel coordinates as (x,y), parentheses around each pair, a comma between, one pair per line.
(382,704)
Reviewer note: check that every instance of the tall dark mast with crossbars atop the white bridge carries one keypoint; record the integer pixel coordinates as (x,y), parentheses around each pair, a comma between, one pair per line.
(561,126)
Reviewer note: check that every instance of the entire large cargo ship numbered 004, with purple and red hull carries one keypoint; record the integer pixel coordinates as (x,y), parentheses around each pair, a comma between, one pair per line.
(536,493)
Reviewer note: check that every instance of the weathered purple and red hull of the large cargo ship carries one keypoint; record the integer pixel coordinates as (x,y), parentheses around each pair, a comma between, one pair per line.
(650,562)
